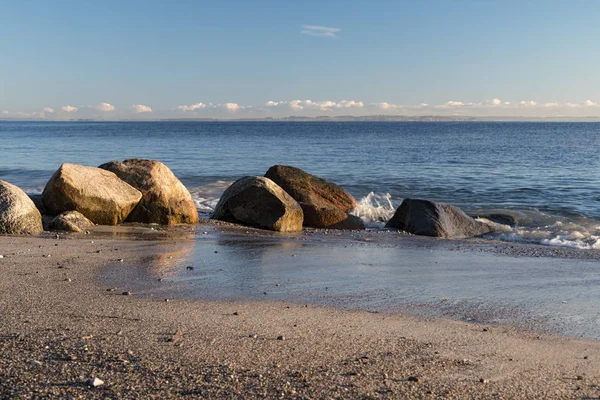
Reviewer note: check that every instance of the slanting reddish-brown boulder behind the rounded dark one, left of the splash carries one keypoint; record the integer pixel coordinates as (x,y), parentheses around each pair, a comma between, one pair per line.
(325,204)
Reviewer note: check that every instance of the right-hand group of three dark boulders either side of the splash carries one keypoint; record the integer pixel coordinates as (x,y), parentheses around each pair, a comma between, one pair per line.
(287,199)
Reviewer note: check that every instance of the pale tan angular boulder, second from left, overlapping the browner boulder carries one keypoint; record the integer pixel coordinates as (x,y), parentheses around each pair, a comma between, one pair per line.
(96,193)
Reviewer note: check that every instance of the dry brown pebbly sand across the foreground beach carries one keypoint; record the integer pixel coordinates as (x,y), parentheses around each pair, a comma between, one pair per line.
(60,328)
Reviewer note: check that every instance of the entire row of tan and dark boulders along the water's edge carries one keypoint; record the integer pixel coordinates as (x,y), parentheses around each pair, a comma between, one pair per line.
(286,199)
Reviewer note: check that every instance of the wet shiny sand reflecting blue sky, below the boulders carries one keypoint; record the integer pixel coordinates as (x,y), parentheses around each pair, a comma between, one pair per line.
(530,286)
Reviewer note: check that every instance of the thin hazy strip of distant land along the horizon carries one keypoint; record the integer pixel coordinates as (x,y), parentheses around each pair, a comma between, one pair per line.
(370,118)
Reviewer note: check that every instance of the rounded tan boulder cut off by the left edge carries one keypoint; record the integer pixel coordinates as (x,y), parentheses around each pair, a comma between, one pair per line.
(18,214)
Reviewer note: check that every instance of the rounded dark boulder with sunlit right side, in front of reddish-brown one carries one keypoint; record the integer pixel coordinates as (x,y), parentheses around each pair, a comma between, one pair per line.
(259,202)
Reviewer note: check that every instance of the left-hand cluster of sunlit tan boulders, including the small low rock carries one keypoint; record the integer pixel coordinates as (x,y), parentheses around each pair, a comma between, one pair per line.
(77,197)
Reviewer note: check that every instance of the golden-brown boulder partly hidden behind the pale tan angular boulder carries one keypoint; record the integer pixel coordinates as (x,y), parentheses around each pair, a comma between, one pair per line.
(165,200)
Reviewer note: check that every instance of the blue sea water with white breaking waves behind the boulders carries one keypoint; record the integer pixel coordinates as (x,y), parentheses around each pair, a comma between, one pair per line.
(546,174)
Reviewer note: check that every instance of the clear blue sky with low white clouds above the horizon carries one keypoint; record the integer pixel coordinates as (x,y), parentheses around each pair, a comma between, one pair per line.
(149,59)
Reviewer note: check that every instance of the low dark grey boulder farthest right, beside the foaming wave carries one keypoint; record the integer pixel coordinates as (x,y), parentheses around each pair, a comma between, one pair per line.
(426,218)
